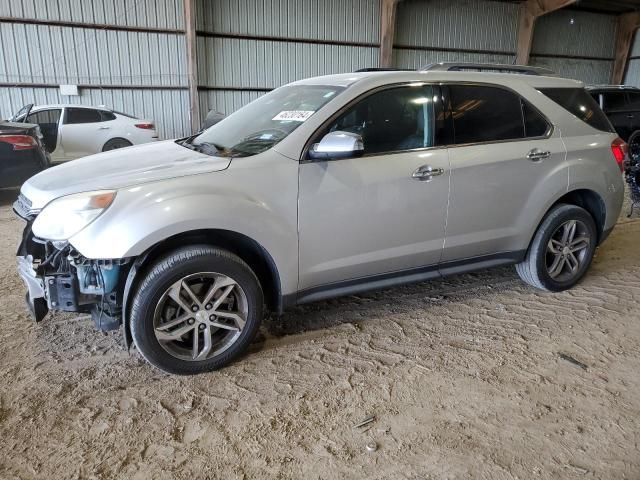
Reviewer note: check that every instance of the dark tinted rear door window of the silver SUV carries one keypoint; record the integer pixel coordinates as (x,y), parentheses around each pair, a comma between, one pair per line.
(485,114)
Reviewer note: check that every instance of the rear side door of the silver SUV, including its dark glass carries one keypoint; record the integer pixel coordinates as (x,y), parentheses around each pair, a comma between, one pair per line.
(507,162)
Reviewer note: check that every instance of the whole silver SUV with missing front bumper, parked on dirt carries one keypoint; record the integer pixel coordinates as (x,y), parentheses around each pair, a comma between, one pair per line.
(324,187)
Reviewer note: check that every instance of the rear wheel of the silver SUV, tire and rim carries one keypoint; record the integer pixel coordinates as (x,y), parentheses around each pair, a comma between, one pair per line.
(538,270)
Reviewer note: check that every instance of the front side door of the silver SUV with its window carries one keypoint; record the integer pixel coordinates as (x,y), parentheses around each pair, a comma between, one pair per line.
(384,212)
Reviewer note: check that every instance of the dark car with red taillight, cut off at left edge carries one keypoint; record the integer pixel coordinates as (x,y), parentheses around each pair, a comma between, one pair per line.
(22,153)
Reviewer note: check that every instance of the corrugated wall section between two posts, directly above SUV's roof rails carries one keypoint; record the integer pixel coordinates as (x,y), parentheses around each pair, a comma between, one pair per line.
(463,30)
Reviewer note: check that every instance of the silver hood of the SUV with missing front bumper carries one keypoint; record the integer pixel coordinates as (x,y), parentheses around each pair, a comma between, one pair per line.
(118,169)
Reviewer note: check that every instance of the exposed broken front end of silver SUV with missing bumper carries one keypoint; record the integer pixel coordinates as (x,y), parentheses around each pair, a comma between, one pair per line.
(58,277)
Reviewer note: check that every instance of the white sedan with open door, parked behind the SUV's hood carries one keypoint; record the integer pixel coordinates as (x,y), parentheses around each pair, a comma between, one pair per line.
(73,131)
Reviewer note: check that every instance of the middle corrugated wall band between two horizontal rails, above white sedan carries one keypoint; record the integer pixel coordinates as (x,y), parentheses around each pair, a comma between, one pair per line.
(89,56)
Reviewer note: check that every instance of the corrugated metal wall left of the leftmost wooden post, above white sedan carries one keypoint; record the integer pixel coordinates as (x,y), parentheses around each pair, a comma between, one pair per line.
(110,59)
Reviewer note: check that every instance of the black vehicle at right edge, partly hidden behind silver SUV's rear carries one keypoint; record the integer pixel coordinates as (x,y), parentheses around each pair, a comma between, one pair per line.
(622,105)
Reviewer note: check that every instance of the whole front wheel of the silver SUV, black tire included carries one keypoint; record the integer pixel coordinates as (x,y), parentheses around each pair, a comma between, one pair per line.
(165,280)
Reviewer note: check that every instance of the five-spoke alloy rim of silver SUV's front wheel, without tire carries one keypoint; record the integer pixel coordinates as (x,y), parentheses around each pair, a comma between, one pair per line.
(200,316)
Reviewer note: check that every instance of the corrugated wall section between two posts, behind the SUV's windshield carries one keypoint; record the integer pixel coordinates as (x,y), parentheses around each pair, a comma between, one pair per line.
(247,47)
